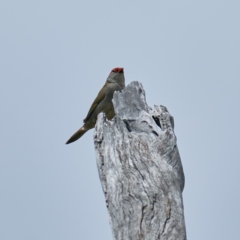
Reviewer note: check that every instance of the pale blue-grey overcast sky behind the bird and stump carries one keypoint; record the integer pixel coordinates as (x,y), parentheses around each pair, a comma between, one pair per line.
(54,58)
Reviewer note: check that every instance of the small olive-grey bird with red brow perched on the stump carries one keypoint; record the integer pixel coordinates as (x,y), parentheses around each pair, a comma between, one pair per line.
(102,103)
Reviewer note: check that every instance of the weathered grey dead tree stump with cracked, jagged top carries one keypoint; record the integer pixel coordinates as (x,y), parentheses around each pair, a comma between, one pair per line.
(140,169)
